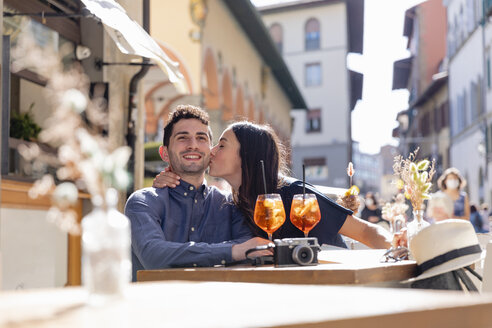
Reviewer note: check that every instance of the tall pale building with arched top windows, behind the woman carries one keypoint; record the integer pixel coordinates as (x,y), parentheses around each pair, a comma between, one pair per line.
(314,38)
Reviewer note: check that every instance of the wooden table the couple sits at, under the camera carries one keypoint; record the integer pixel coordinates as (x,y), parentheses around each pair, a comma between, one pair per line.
(338,267)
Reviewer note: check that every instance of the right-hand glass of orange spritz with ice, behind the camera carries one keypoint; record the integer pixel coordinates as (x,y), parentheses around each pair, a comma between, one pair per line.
(304,213)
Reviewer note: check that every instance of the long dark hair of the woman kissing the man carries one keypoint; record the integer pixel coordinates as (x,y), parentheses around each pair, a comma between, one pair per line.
(258,142)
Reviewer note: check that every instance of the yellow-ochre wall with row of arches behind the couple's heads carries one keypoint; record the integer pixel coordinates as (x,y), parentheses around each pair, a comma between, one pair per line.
(241,84)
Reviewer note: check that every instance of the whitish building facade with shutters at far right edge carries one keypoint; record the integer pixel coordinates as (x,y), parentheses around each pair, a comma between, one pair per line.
(468,53)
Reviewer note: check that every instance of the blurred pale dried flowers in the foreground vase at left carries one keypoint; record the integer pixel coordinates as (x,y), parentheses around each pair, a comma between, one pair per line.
(84,160)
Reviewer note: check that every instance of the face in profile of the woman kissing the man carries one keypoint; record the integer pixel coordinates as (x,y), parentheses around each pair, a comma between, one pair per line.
(225,161)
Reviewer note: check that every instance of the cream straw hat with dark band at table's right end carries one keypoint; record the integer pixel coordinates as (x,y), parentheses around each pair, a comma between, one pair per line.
(444,246)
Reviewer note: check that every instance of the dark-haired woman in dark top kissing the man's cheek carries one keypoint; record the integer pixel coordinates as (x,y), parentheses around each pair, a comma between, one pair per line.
(236,159)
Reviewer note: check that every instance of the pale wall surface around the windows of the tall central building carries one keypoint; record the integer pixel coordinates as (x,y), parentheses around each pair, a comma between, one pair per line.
(331,143)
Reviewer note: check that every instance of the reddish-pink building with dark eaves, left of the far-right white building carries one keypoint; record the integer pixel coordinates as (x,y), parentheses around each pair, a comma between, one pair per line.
(425,124)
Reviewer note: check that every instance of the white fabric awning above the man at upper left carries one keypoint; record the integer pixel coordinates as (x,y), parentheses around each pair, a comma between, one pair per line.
(132,39)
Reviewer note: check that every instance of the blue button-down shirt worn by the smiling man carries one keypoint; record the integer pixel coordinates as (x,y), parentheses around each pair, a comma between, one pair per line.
(183,227)
